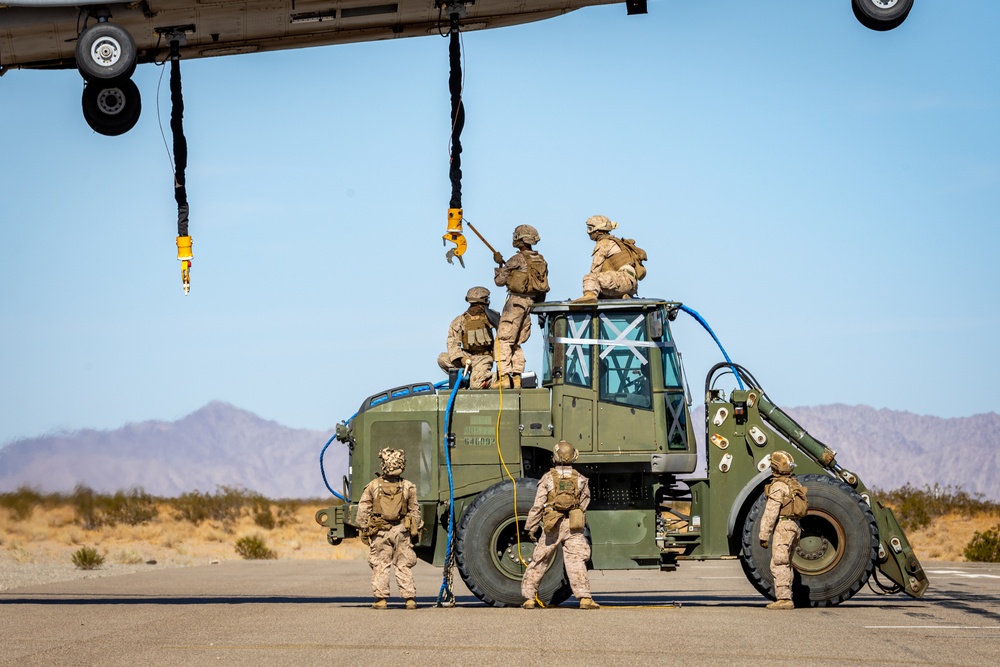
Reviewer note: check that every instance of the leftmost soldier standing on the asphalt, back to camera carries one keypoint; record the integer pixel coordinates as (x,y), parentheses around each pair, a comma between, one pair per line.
(388,519)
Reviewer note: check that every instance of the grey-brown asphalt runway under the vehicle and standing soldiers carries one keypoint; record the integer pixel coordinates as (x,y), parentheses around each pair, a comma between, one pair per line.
(317,613)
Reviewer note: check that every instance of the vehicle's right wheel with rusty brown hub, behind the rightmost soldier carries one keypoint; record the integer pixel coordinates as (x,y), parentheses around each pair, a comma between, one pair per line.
(837,550)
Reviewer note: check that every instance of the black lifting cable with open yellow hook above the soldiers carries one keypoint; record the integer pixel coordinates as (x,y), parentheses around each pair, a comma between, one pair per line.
(454,234)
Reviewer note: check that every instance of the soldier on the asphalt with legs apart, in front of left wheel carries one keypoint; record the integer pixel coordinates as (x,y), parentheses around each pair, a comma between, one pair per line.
(559,513)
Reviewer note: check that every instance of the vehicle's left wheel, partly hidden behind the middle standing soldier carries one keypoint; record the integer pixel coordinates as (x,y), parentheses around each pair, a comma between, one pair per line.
(486,548)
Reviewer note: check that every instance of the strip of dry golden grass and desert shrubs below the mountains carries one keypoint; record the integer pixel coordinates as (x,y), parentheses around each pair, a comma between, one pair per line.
(132,528)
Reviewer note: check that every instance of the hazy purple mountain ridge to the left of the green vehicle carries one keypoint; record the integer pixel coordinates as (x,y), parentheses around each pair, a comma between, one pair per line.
(218,445)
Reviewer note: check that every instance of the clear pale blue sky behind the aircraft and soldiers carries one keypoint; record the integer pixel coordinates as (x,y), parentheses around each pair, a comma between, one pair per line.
(825,196)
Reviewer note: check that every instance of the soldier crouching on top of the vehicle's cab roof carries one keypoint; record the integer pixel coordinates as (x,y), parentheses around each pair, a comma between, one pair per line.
(616,264)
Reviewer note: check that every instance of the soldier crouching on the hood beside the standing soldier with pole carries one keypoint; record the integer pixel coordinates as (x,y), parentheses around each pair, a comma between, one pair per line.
(470,339)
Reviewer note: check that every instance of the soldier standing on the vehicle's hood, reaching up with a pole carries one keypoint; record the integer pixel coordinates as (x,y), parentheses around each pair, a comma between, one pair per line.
(526,276)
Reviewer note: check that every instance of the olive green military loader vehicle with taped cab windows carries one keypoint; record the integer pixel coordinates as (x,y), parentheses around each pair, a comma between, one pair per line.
(612,384)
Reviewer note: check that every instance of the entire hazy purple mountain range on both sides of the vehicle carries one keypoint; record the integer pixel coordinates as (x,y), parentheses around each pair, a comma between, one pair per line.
(221,445)
